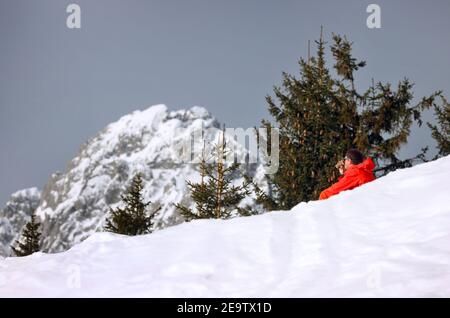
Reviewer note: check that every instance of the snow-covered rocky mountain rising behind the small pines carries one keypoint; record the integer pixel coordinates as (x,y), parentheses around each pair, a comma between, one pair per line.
(73,204)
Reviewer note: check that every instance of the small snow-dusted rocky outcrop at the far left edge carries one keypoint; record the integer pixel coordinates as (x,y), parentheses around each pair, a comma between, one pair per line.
(16,213)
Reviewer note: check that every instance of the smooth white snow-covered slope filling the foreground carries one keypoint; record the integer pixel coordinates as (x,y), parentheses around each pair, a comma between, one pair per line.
(389,238)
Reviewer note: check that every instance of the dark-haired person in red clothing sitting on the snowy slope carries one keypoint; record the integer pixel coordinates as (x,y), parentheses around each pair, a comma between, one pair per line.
(355,171)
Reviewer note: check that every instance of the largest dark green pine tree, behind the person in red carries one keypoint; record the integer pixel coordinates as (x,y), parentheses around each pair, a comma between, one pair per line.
(320,117)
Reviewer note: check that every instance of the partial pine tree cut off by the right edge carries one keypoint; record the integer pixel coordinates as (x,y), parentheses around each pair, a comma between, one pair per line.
(441,133)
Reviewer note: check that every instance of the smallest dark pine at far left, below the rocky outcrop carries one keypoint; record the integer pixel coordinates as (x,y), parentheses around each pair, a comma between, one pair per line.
(29,241)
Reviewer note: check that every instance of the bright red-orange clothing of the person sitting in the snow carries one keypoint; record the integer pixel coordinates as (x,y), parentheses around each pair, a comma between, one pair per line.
(355,176)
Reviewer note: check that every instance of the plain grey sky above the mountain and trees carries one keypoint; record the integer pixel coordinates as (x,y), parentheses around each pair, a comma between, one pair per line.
(58,87)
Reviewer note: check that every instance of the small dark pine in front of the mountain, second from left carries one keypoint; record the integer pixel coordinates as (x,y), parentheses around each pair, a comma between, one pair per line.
(133,218)
